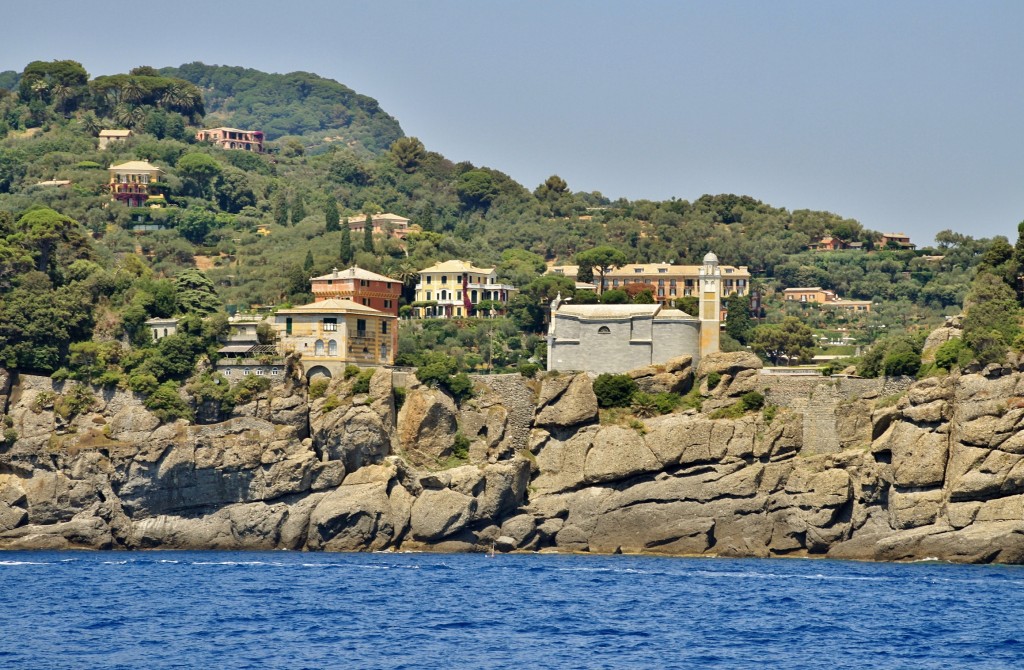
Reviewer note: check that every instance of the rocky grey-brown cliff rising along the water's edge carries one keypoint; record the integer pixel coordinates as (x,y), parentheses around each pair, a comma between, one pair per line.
(836,469)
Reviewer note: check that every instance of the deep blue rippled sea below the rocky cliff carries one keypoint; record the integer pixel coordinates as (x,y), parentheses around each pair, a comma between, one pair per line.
(294,611)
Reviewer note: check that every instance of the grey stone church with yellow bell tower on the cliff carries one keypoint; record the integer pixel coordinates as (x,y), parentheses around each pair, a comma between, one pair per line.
(616,339)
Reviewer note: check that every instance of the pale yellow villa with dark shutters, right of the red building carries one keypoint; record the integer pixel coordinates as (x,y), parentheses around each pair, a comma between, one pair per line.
(454,288)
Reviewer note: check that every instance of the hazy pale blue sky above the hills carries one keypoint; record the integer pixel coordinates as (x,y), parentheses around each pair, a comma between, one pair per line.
(908,116)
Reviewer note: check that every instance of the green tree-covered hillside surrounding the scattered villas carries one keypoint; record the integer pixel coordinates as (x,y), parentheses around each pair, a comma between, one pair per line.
(75,269)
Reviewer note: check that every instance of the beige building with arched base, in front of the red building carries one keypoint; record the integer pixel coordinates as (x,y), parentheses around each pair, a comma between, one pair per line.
(336,332)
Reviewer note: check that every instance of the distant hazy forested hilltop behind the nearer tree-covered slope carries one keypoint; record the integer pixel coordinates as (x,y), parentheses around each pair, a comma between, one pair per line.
(296,104)
